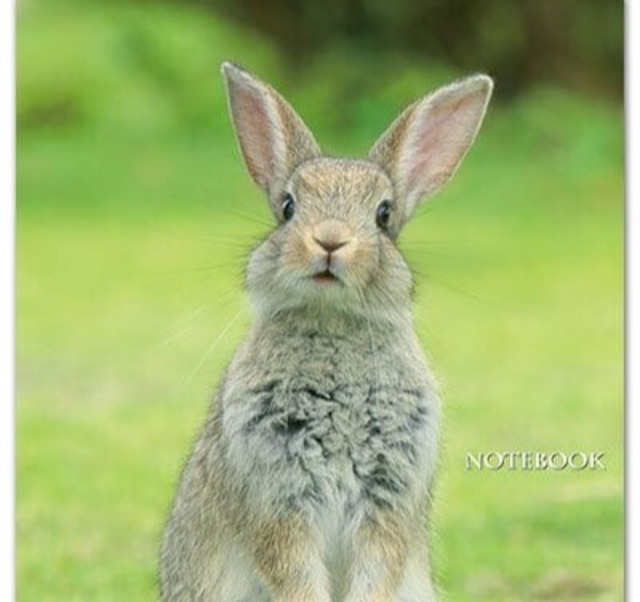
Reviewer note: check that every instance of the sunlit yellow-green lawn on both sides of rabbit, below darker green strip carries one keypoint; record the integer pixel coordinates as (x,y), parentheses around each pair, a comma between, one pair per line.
(522,320)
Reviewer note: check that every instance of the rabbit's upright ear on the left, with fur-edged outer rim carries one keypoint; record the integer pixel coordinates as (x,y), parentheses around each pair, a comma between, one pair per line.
(272,138)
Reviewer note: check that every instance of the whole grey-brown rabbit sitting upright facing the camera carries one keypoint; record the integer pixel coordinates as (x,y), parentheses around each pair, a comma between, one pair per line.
(312,478)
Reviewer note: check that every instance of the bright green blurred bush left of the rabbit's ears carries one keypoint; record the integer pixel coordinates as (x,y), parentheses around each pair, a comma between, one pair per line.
(125,65)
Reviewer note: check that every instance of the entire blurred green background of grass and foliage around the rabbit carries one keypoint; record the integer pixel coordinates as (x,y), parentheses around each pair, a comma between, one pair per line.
(135,217)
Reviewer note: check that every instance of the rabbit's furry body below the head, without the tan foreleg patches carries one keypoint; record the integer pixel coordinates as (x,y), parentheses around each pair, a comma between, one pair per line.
(330,422)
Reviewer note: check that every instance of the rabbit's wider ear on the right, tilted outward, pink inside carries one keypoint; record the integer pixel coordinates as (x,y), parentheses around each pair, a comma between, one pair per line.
(423,147)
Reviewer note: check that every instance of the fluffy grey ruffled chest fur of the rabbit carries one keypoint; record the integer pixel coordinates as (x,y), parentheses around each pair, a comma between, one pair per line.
(330,422)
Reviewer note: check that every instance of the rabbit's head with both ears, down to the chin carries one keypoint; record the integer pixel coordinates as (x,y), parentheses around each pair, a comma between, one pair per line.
(338,219)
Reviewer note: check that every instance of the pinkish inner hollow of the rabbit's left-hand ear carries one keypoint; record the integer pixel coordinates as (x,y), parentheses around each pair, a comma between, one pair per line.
(256,134)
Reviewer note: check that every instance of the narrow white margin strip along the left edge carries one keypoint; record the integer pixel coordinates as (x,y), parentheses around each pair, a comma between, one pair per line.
(7,300)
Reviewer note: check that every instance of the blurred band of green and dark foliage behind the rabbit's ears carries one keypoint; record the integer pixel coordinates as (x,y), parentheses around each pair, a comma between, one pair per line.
(142,66)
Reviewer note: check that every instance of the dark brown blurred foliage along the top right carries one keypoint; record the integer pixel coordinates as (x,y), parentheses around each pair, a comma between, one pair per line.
(578,43)
